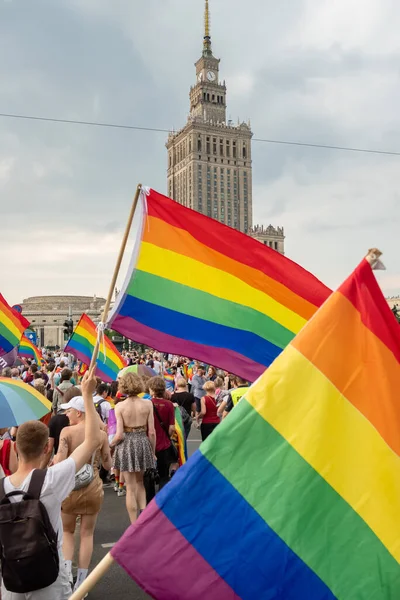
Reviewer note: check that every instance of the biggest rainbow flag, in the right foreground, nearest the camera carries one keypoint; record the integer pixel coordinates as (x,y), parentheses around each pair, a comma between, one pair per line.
(306,468)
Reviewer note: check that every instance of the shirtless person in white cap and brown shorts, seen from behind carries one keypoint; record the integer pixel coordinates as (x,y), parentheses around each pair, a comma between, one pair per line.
(87,501)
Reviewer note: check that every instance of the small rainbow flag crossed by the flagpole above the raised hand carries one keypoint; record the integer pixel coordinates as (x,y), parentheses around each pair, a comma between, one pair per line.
(81,344)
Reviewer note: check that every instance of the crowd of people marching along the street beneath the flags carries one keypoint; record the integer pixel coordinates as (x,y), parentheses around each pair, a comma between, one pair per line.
(121,434)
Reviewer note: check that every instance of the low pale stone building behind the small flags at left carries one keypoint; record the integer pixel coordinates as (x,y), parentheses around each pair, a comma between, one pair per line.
(47,315)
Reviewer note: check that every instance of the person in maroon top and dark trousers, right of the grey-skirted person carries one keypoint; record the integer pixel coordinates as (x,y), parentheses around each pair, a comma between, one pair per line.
(164,421)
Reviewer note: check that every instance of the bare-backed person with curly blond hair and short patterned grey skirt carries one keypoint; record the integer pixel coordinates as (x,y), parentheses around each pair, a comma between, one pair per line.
(135,442)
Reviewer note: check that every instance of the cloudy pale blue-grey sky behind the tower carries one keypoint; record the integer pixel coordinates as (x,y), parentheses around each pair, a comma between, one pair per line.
(303,70)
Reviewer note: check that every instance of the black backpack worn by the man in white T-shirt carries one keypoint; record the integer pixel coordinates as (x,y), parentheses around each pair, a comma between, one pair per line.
(28,543)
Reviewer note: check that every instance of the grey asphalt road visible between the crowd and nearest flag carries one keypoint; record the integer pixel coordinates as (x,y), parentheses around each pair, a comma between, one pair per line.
(113,521)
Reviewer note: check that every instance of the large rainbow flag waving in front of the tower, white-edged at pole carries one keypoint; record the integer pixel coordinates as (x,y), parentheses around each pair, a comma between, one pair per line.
(201,289)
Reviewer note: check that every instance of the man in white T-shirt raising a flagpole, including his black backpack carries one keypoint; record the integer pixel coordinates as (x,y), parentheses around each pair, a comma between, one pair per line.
(31,529)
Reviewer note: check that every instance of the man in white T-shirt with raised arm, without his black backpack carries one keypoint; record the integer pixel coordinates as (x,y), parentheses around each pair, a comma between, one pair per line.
(32,440)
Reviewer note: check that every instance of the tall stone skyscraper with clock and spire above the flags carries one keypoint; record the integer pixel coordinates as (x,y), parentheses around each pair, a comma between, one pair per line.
(209,159)
